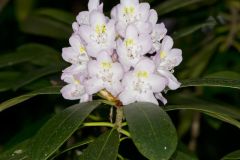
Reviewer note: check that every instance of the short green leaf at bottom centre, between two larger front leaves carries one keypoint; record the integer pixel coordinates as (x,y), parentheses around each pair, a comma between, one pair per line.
(104,147)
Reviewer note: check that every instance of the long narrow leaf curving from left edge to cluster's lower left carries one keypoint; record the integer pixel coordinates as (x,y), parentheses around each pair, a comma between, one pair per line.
(22,98)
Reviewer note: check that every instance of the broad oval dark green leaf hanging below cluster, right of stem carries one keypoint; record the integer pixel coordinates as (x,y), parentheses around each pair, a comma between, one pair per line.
(152,130)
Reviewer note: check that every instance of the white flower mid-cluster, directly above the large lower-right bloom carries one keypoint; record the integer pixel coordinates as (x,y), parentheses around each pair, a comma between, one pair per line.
(132,49)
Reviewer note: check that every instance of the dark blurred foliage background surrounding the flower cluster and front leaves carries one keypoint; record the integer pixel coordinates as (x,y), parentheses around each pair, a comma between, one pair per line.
(206,117)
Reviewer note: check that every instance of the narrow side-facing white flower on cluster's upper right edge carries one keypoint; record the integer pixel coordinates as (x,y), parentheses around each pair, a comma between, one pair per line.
(158,32)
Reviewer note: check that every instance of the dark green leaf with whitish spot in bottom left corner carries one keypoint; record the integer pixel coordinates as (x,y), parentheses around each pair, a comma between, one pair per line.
(18,152)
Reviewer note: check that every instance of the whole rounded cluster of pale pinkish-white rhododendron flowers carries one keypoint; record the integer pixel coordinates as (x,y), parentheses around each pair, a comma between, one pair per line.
(129,55)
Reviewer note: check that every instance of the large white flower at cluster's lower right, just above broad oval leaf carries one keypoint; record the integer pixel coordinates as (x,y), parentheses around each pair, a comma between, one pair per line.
(141,83)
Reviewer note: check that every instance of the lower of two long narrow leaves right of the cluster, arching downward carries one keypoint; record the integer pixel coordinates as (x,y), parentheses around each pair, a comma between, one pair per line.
(213,111)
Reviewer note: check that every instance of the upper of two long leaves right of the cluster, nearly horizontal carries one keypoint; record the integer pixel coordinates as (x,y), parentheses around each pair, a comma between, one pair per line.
(212,82)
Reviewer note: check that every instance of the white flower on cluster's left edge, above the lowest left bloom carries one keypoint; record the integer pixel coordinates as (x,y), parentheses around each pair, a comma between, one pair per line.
(77,52)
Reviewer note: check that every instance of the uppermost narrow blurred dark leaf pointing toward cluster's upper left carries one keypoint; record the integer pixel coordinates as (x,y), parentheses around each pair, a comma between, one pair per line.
(57,14)
